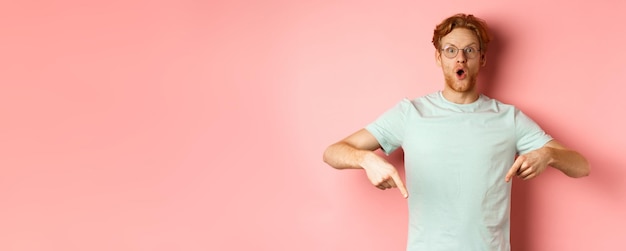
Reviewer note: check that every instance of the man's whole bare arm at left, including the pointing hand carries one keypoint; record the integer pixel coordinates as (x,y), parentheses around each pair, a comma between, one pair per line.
(357,151)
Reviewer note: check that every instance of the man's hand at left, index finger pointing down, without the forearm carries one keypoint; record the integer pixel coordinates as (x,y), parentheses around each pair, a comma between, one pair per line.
(382,174)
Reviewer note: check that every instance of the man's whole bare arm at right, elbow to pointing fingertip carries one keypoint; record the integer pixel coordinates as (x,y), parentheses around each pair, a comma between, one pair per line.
(530,165)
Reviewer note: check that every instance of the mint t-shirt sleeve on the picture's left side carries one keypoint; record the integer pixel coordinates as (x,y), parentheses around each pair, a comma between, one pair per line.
(389,128)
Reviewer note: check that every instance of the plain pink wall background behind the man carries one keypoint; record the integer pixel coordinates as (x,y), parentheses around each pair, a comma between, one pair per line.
(195,125)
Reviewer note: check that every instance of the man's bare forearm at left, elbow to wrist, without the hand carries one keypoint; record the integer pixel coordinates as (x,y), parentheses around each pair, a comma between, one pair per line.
(342,155)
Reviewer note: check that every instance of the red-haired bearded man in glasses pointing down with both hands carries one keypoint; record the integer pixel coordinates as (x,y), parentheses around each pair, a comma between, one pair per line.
(459,148)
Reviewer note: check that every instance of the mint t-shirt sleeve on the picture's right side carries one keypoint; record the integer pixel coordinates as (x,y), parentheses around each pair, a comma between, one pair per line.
(528,134)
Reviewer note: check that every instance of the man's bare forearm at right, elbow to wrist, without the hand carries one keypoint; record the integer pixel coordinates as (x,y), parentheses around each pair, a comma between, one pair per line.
(569,162)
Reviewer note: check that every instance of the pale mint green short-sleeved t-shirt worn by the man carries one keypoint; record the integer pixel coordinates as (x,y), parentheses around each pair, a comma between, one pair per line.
(456,157)
